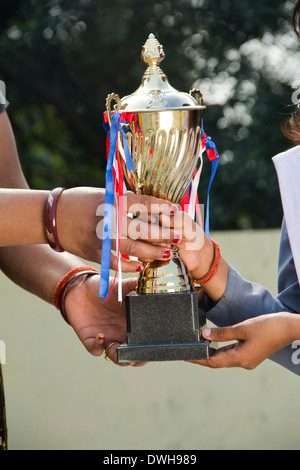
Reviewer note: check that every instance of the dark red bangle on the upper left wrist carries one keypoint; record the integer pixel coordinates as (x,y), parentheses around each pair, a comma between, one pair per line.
(50,219)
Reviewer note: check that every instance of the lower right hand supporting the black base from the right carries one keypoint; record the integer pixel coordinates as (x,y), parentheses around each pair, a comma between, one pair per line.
(257,339)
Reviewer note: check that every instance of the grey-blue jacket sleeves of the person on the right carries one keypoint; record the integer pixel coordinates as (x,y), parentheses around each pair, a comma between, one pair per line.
(243,299)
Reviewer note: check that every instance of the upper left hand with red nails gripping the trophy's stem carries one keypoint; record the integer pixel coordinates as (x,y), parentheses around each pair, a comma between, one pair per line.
(79,211)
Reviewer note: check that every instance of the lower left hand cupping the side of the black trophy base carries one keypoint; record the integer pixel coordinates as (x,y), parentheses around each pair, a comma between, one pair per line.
(98,324)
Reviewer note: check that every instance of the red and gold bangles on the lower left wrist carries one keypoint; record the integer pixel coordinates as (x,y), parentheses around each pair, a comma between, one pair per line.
(62,287)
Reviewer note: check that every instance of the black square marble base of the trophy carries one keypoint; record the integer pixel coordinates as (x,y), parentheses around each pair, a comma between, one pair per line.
(163,327)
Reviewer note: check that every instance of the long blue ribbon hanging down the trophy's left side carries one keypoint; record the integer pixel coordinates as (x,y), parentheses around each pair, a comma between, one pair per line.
(109,200)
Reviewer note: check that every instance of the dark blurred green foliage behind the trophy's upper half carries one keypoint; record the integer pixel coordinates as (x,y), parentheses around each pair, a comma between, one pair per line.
(60,59)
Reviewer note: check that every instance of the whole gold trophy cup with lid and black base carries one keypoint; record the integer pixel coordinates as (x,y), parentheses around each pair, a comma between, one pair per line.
(163,132)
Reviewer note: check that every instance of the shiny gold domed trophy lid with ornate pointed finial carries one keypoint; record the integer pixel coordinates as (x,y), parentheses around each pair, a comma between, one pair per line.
(155,93)
